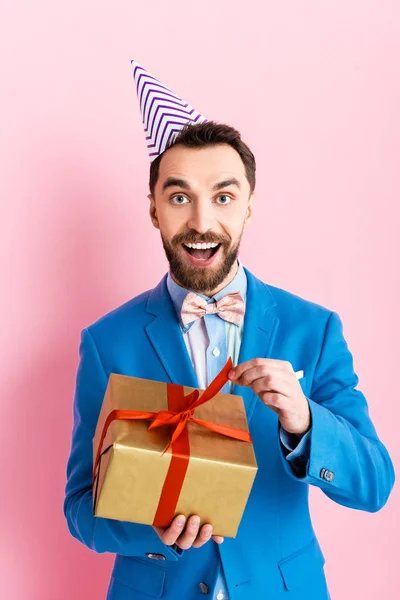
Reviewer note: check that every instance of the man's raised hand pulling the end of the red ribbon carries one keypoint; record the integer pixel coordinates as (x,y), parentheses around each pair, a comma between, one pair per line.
(276,384)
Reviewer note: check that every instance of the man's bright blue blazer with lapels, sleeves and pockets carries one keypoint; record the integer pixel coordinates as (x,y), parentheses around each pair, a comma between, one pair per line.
(275,554)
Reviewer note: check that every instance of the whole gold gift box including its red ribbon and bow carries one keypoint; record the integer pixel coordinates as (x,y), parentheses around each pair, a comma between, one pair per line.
(163,449)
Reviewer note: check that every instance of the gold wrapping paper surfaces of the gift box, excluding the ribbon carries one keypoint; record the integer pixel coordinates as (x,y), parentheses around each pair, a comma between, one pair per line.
(133,468)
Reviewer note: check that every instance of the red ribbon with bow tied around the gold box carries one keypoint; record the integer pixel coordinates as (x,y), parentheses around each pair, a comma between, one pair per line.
(181,411)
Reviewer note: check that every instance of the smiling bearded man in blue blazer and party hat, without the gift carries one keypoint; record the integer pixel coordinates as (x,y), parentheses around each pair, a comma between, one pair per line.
(309,423)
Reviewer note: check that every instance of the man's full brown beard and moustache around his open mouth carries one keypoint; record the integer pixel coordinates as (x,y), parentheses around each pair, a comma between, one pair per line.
(200,279)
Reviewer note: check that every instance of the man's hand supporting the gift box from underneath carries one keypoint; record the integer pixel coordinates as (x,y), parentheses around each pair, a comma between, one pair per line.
(187,535)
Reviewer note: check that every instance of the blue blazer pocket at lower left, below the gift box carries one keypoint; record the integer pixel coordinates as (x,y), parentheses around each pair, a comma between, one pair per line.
(140,575)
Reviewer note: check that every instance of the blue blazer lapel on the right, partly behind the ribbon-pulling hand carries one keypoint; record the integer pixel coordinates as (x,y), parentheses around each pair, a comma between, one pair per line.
(259,330)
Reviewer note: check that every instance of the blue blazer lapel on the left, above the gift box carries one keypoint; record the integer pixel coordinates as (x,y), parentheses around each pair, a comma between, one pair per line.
(166,337)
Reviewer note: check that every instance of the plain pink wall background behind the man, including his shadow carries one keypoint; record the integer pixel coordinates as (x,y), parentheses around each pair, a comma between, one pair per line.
(314,88)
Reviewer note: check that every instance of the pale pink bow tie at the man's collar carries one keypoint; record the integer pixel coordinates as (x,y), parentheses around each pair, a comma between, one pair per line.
(230,308)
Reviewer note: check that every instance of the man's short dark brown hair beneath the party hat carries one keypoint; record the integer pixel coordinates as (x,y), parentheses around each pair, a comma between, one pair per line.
(209,134)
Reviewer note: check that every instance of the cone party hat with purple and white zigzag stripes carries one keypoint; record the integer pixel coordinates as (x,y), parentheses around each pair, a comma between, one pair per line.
(164,114)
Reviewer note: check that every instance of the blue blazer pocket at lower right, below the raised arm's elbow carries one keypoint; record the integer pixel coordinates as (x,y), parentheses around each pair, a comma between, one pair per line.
(301,566)
